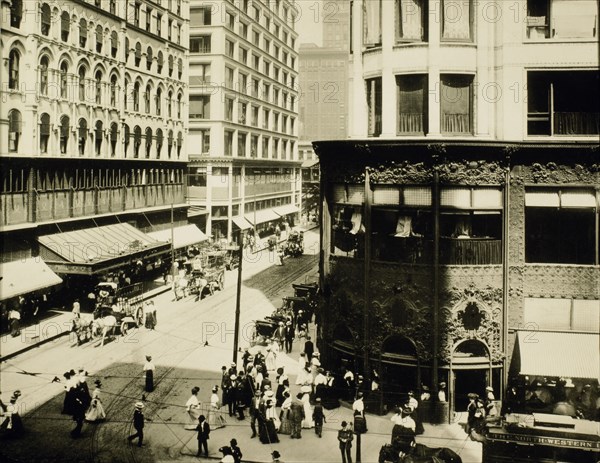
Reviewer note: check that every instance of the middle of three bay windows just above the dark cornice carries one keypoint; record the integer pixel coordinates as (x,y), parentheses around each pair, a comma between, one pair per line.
(412,104)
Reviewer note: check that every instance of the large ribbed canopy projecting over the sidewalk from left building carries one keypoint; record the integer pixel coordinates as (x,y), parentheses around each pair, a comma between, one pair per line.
(92,250)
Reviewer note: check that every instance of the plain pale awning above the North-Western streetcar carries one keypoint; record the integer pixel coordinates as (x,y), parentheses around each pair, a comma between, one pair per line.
(562,354)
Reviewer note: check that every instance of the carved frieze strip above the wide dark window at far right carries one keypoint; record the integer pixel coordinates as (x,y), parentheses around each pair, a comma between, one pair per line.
(553,173)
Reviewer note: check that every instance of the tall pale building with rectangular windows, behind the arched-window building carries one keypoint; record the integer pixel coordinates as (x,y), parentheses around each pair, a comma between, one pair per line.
(244,169)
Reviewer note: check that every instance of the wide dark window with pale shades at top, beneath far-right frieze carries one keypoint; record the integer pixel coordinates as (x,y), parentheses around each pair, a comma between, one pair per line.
(560,226)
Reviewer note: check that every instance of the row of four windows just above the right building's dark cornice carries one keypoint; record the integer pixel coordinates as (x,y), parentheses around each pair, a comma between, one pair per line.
(558,103)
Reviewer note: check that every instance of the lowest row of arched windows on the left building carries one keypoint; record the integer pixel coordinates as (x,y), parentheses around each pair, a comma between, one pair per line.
(153,142)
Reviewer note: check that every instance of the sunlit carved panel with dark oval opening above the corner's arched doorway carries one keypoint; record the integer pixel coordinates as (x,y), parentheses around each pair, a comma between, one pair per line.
(458,304)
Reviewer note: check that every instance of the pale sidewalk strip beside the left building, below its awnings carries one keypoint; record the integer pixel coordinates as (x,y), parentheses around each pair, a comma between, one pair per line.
(47,330)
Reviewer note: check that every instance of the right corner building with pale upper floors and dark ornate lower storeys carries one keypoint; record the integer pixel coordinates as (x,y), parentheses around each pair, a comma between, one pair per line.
(460,220)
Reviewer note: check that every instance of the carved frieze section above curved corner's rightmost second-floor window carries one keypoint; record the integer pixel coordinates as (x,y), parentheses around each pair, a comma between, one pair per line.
(472,172)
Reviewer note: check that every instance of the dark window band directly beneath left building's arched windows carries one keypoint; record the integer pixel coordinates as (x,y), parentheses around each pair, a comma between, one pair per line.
(15,180)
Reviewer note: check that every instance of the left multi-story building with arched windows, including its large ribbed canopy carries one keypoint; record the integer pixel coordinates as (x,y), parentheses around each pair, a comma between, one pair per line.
(92,128)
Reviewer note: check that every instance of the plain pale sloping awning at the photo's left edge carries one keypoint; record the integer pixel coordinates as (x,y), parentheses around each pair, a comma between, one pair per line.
(24,276)
